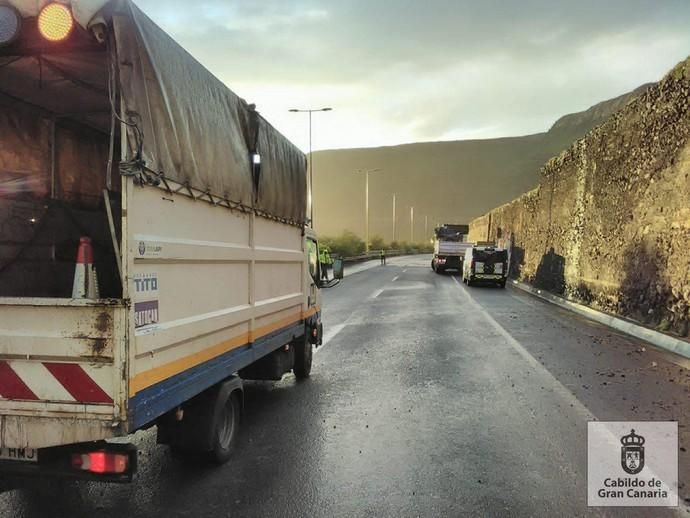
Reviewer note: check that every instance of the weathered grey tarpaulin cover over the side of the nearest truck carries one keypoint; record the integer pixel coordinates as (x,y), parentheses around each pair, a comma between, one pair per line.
(197,132)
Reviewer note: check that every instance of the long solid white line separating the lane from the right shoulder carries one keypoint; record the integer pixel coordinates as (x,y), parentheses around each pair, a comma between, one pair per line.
(559,388)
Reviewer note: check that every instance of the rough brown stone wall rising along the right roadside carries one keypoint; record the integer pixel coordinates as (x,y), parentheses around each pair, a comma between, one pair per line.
(609,223)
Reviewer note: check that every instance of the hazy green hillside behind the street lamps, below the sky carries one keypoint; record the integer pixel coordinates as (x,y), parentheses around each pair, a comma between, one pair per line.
(446,182)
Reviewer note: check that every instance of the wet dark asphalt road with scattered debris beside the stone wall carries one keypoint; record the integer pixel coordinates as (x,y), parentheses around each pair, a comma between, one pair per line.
(428,399)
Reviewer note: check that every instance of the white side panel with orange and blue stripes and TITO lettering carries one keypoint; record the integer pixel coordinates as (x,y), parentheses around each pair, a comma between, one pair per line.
(212,289)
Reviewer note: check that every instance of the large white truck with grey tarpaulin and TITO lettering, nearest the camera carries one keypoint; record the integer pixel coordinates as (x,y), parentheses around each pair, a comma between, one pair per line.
(186,206)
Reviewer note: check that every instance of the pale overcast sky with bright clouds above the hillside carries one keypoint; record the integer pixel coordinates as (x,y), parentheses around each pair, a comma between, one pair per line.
(397,71)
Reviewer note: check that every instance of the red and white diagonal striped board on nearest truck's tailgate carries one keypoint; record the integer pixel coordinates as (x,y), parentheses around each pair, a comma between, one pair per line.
(68,382)
